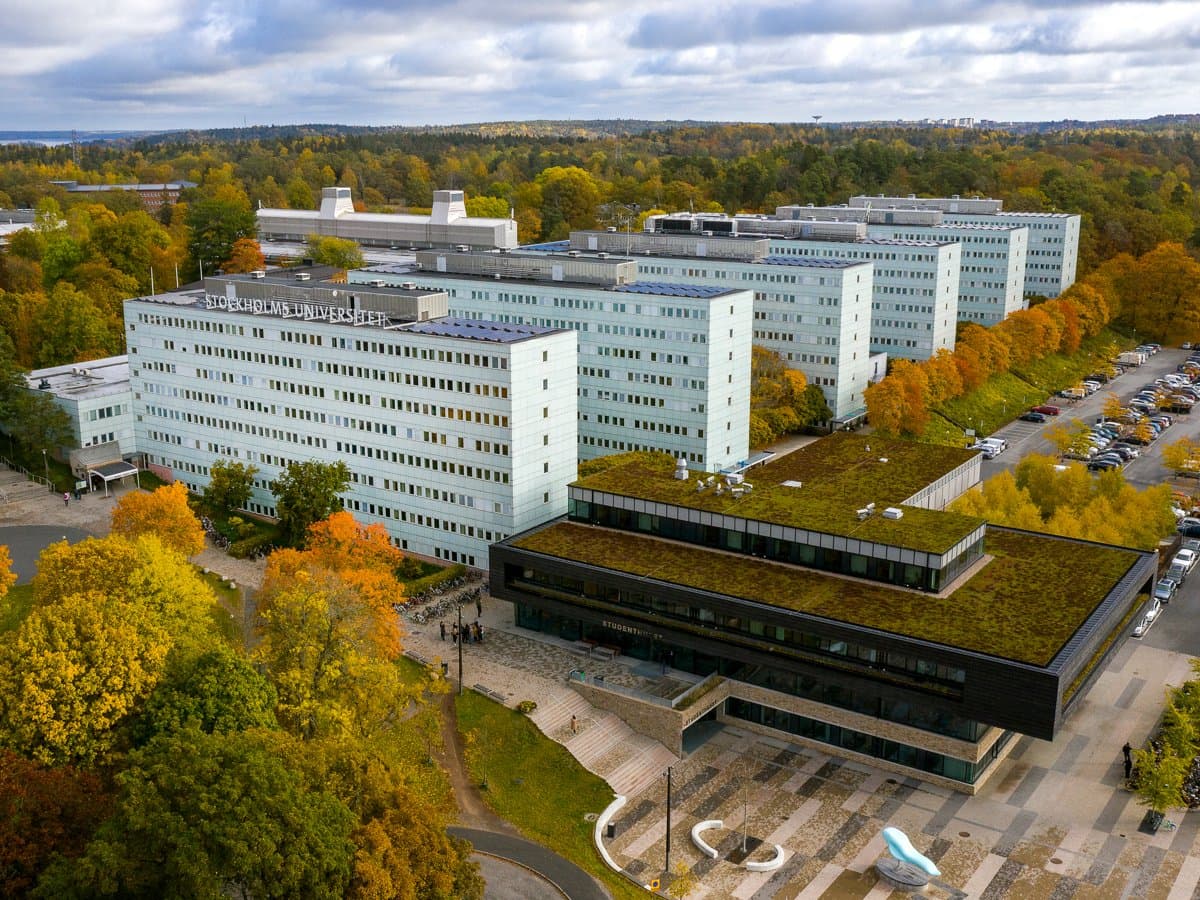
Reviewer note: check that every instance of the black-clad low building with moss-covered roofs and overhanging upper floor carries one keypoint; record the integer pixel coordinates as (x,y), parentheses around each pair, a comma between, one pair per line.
(829,597)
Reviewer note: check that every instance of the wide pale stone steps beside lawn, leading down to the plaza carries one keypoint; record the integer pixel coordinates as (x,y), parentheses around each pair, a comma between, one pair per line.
(603,743)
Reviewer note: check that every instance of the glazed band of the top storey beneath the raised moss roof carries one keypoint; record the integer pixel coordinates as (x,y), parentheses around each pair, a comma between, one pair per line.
(860,566)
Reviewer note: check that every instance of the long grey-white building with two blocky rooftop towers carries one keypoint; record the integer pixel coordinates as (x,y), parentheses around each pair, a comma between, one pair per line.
(447,226)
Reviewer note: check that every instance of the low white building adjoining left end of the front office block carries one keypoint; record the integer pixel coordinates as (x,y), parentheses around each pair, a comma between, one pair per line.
(98,399)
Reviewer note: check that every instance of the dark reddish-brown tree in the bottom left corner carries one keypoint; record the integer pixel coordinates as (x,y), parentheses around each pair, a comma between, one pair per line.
(46,814)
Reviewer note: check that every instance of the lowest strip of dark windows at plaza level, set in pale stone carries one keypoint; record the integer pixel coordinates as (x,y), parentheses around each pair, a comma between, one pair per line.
(871,746)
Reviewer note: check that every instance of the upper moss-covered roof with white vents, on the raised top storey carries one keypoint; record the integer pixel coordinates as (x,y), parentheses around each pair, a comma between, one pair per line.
(839,476)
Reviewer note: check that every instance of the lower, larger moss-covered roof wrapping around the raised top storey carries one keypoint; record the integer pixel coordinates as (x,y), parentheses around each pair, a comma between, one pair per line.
(1024,605)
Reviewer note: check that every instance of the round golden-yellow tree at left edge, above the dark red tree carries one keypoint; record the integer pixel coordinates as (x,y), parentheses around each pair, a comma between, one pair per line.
(74,673)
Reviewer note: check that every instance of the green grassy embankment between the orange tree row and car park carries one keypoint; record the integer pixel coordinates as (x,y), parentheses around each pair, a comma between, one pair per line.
(1003,398)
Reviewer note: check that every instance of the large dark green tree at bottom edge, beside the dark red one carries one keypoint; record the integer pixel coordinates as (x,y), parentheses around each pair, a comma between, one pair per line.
(212,817)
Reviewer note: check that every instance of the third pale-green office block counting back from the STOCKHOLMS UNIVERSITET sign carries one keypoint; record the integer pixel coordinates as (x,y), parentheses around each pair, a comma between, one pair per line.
(813,313)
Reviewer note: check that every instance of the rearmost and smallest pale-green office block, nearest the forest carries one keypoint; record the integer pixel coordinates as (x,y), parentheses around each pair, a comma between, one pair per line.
(1053,251)
